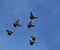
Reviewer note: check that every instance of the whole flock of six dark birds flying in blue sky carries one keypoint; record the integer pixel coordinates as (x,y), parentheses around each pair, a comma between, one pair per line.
(29,25)
